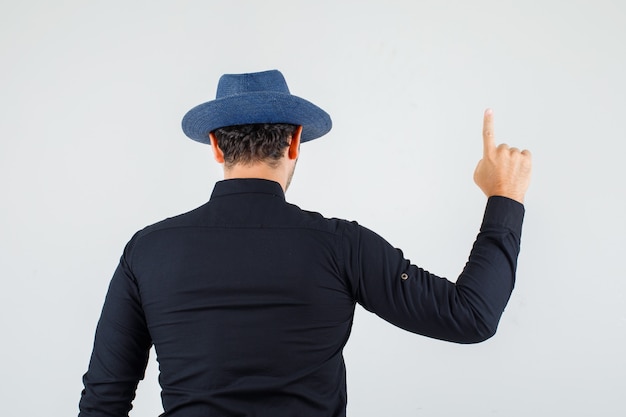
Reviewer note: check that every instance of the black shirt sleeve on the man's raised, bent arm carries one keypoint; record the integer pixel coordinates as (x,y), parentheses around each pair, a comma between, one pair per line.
(468,311)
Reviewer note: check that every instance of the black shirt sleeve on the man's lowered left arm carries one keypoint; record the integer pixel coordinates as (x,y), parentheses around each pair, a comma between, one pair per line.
(120,353)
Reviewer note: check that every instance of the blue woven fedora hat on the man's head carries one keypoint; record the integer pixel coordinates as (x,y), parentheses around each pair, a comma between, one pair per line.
(259,97)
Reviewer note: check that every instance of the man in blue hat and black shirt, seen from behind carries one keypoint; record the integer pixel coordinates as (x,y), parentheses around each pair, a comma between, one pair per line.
(249,300)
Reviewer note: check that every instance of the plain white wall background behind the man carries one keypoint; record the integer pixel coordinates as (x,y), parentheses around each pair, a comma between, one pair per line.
(91,150)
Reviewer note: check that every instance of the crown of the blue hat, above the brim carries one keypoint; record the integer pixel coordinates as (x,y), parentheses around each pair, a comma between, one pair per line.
(236,84)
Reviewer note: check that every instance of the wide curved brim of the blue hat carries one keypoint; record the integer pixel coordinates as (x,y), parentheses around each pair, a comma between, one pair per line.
(256,107)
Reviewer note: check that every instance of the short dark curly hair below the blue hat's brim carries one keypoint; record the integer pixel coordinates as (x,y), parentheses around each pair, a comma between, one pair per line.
(245,144)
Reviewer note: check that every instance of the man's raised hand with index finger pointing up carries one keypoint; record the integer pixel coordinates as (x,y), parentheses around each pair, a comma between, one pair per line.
(503,171)
